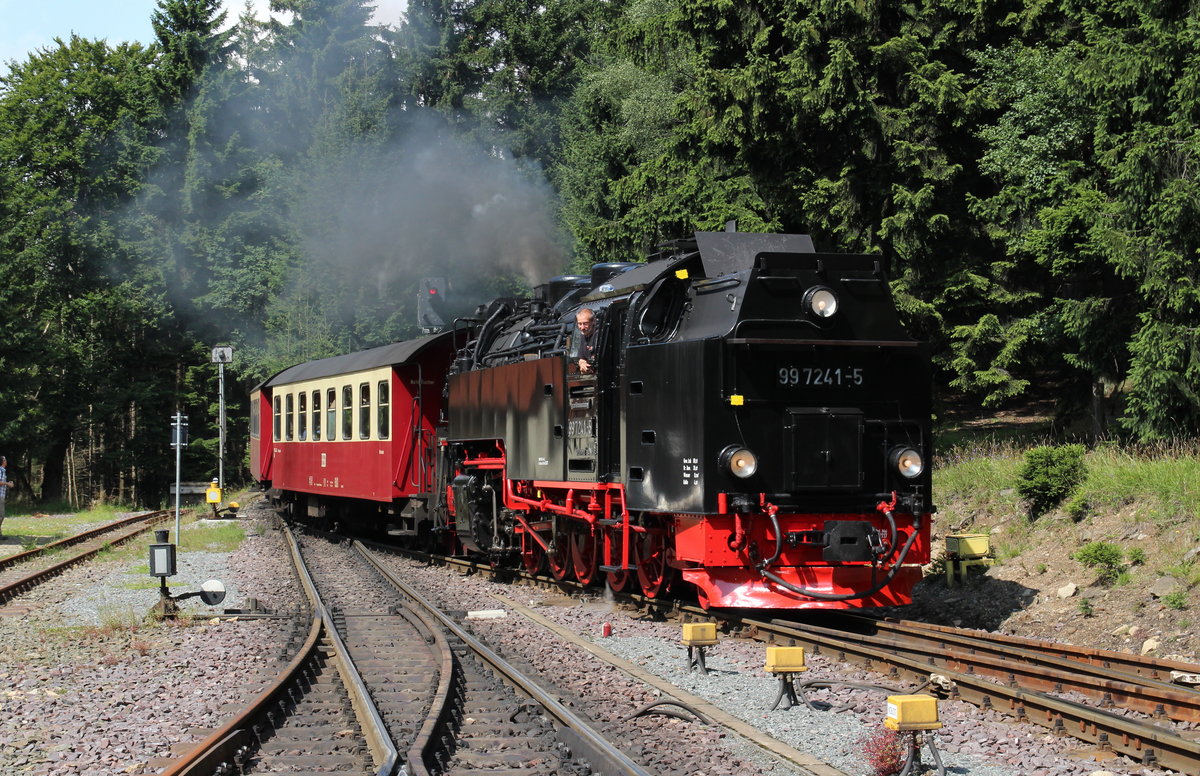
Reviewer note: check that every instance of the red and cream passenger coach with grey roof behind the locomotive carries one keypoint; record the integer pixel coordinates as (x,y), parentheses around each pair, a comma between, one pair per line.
(353,435)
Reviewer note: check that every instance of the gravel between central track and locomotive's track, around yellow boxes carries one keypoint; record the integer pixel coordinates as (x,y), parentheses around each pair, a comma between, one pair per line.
(971,742)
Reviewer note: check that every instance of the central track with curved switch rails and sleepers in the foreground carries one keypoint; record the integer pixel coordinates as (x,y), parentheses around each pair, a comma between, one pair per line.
(427,696)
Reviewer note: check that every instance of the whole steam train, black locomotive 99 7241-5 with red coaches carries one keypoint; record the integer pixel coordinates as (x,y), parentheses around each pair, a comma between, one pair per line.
(757,425)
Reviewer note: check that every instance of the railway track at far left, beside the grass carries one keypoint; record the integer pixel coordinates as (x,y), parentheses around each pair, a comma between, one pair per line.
(22,573)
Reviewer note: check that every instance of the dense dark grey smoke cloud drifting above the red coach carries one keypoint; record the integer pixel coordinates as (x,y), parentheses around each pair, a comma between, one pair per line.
(435,206)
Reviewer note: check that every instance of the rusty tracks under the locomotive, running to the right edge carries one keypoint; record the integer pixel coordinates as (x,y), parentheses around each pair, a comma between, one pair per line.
(1117,702)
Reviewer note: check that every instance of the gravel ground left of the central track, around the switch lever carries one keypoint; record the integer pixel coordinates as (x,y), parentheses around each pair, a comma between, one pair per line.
(89,689)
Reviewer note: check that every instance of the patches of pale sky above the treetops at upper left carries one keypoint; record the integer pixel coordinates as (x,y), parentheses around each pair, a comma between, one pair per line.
(27,26)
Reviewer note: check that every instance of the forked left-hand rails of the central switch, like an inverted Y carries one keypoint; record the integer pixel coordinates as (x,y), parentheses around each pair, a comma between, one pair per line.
(236,738)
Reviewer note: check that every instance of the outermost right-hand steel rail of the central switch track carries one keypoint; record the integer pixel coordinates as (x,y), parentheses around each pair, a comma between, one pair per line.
(605,759)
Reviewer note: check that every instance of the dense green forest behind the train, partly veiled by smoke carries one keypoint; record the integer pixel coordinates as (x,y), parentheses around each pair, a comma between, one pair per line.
(1023,167)
